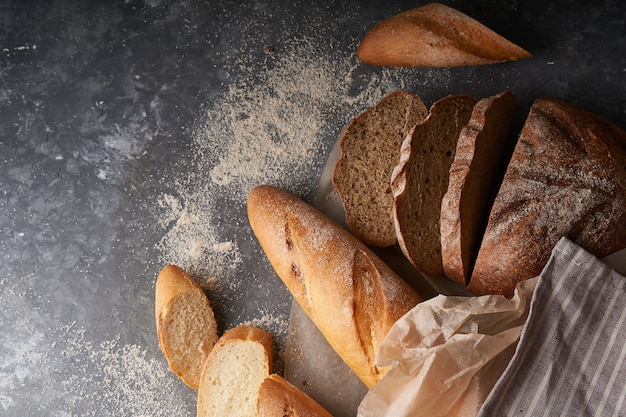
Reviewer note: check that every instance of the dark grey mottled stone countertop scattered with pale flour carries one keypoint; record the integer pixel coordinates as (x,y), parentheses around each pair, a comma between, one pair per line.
(130,133)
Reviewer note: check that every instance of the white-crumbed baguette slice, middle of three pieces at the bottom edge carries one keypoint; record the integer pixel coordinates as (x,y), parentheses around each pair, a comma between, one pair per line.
(233,373)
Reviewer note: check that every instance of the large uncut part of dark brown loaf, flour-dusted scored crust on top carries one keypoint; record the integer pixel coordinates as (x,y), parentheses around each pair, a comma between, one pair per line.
(567,177)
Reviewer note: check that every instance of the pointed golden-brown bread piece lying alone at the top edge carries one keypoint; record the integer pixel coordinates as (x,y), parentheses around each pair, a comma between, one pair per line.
(435,35)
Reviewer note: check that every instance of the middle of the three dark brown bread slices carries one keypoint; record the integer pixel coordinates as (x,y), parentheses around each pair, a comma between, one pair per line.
(420,180)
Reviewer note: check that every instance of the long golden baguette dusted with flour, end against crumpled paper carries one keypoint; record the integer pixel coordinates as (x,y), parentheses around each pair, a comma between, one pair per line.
(346,290)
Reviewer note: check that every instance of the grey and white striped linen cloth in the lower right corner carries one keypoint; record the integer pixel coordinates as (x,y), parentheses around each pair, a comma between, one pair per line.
(571,357)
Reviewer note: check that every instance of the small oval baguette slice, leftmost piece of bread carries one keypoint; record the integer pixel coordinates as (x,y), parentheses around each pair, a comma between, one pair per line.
(186,326)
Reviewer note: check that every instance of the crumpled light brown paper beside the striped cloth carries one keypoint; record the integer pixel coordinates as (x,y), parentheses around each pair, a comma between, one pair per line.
(446,355)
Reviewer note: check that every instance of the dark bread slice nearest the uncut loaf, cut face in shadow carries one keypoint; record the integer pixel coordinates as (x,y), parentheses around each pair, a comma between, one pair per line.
(477,169)
